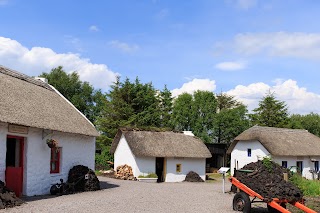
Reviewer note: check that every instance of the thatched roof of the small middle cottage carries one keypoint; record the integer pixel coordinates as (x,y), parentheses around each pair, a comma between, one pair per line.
(162,144)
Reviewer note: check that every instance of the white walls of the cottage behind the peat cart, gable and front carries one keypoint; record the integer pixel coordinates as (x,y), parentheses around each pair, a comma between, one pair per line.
(239,154)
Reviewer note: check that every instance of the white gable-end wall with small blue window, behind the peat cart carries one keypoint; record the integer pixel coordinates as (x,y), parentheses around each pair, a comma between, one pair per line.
(239,154)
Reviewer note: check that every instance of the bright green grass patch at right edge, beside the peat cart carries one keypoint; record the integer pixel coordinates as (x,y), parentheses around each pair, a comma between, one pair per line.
(308,187)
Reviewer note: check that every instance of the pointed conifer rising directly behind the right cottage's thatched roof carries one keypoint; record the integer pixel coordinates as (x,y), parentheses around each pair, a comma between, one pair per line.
(271,112)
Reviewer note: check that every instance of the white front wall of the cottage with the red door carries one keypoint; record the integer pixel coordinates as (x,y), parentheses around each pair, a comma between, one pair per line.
(76,149)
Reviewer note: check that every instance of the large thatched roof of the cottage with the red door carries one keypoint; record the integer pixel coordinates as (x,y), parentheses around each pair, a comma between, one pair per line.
(30,102)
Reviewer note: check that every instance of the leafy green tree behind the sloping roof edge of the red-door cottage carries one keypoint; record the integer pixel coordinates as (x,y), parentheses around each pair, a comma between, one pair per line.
(81,94)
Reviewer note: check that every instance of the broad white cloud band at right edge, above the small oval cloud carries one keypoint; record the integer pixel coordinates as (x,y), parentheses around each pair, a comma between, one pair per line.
(299,45)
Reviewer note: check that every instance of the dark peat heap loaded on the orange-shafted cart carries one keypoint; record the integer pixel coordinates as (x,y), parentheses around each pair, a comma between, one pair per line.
(268,181)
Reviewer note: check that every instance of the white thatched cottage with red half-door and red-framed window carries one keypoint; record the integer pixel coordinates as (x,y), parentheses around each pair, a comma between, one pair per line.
(33,112)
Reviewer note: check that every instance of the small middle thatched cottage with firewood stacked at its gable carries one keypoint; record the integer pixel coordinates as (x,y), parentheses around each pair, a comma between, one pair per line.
(170,155)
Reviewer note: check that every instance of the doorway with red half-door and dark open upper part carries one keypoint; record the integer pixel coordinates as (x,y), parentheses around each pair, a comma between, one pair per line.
(14,164)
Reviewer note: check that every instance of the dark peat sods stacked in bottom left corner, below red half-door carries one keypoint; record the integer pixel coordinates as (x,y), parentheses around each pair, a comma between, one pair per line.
(8,198)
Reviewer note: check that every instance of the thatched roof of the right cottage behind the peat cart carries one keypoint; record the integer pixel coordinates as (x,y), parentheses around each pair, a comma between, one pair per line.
(281,141)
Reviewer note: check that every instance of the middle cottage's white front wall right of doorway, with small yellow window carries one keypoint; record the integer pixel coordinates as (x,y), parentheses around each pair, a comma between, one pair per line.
(197,165)
